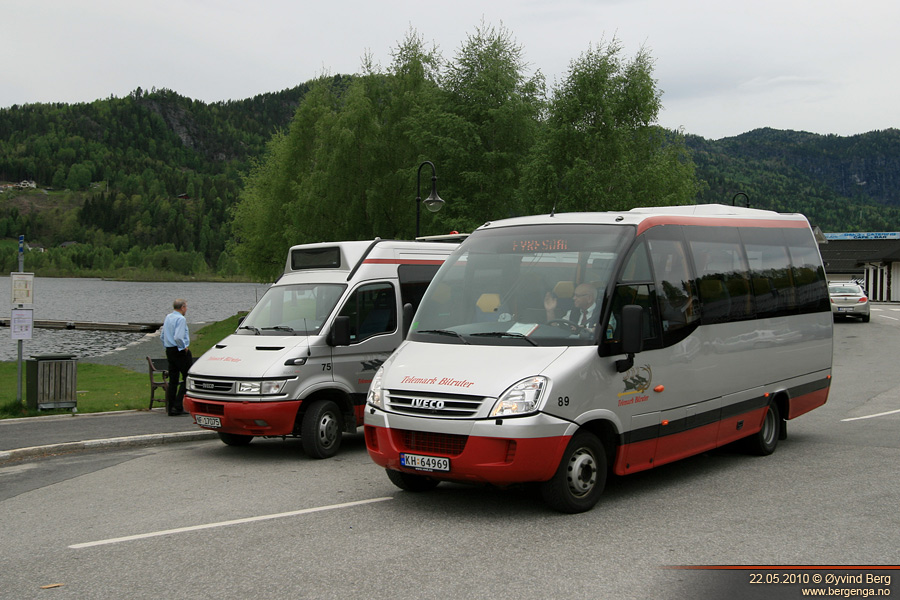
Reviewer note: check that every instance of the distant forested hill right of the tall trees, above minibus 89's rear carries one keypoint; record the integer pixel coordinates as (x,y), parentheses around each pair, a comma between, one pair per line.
(840,183)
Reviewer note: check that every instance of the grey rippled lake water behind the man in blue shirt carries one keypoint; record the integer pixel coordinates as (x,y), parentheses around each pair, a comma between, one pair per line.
(98,300)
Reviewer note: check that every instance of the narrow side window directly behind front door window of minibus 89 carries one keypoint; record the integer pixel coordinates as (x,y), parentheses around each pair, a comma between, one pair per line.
(676,290)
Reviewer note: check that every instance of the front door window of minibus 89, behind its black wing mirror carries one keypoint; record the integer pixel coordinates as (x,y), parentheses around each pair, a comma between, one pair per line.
(634,287)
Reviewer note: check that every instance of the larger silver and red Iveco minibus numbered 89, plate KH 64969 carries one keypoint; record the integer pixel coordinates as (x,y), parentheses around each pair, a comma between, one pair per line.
(553,349)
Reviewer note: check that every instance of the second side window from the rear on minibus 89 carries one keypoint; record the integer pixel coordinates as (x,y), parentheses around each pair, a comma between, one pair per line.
(770,272)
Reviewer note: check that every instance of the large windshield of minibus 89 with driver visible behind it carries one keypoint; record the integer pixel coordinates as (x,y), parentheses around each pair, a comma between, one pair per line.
(530,285)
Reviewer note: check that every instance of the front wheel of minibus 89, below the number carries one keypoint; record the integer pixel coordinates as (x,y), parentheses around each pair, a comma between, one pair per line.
(580,478)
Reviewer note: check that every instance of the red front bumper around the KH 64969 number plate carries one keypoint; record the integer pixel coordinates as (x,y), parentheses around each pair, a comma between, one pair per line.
(498,461)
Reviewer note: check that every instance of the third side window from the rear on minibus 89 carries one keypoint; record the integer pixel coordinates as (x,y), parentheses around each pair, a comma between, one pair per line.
(723,278)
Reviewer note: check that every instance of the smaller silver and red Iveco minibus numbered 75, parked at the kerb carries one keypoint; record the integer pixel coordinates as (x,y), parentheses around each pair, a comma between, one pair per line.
(301,361)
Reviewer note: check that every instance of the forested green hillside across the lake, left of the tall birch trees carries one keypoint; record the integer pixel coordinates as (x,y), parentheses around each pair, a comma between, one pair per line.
(142,183)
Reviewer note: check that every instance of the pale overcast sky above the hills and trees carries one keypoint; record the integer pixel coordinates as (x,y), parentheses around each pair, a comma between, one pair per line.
(725,67)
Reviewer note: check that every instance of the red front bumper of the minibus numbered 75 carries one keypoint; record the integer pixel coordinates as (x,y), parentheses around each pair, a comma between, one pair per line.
(248,418)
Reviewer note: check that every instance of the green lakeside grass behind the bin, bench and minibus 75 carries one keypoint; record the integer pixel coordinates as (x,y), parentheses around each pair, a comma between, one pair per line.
(102,388)
